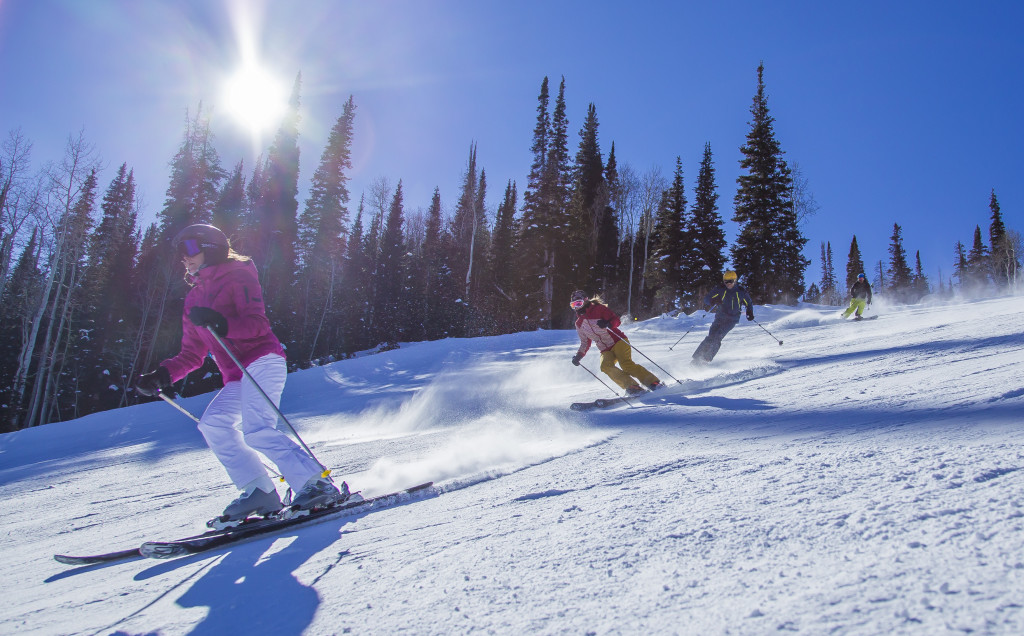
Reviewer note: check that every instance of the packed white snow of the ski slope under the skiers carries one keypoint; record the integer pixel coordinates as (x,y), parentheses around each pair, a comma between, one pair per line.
(858,479)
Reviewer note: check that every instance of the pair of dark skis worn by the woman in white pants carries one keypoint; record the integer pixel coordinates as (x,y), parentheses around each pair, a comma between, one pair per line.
(249,530)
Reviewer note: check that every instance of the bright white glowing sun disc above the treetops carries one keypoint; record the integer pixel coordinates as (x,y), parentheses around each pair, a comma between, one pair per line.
(257,99)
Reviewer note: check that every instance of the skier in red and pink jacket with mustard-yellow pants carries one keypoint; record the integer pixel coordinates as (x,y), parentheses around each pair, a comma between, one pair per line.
(596,323)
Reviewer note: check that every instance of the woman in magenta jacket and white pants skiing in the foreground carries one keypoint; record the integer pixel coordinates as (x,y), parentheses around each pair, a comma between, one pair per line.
(227,298)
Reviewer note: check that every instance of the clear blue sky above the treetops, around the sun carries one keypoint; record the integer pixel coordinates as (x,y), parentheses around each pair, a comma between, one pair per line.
(905,113)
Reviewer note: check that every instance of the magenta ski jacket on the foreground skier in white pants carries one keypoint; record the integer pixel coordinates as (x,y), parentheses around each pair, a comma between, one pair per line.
(233,289)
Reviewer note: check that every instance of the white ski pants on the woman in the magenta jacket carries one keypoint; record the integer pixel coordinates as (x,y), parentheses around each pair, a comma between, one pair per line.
(240,402)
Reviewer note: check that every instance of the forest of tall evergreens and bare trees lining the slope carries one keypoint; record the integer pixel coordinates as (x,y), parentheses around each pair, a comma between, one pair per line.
(90,299)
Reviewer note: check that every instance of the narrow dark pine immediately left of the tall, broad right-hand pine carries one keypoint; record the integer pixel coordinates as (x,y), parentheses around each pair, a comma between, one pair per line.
(709,236)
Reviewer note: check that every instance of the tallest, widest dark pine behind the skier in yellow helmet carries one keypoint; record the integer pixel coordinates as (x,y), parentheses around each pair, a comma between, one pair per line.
(769,250)
